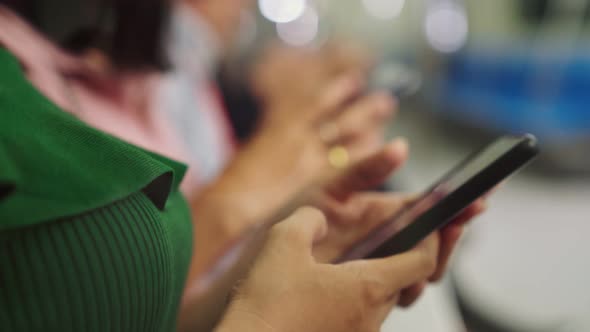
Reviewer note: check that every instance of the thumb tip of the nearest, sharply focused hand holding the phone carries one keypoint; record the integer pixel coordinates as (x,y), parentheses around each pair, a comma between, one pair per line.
(302,229)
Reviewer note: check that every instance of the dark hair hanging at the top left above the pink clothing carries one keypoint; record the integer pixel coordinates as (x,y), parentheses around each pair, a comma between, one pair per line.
(130,32)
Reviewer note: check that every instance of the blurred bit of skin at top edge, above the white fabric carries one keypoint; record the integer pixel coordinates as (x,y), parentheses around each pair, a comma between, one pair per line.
(223,16)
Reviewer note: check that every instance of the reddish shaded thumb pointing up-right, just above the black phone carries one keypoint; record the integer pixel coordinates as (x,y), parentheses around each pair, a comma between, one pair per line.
(370,172)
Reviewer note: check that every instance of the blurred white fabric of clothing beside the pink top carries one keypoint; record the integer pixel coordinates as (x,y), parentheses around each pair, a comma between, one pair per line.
(189,99)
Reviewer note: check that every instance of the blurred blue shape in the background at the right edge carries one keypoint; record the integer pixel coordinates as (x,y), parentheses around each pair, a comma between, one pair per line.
(515,92)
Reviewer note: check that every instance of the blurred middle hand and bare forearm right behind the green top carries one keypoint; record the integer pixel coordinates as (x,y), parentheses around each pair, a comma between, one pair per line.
(286,158)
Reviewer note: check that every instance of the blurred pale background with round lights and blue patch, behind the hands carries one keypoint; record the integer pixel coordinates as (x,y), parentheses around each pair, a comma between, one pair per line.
(467,71)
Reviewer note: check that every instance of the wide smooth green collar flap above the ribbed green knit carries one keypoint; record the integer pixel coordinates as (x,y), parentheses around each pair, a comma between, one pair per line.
(55,166)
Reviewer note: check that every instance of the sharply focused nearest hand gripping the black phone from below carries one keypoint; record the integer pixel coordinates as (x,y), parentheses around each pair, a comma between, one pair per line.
(288,290)
